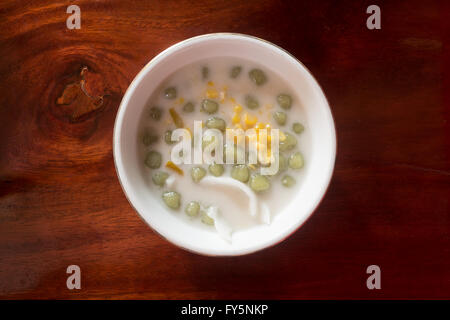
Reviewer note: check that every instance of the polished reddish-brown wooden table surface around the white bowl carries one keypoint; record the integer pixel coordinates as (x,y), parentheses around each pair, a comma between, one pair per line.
(61,202)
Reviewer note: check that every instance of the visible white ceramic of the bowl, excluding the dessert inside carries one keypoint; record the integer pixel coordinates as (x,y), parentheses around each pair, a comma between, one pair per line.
(318,171)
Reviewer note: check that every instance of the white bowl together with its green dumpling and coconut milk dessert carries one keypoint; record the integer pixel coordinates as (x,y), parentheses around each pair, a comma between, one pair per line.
(224,144)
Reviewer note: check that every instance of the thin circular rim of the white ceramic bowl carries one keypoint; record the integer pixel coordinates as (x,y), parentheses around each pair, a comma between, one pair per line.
(130,90)
